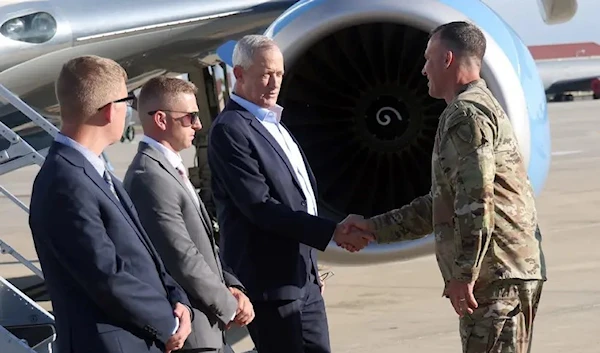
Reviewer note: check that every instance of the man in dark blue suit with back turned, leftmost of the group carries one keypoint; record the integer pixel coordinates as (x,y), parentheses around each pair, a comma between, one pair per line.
(109,289)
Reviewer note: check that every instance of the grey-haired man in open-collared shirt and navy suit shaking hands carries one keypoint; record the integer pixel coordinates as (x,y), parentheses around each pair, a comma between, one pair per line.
(265,195)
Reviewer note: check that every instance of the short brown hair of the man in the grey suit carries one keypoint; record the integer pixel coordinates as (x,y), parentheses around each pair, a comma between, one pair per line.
(161,88)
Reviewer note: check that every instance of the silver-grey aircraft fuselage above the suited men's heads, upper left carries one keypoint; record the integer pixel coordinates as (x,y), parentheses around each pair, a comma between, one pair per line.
(37,37)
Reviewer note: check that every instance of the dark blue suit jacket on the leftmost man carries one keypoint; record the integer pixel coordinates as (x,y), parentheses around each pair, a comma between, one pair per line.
(109,289)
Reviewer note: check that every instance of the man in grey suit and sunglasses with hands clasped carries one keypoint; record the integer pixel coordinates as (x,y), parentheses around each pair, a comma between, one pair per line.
(175,217)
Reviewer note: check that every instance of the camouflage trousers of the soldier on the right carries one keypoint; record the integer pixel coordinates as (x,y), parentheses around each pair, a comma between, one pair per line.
(503,320)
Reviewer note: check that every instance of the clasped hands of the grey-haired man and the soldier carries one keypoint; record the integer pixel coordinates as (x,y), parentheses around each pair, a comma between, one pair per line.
(354,233)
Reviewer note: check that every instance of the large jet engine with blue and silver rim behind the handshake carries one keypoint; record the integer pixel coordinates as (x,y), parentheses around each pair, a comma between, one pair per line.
(356,101)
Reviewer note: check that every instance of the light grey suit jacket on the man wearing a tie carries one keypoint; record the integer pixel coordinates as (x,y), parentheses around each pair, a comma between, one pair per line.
(183,236)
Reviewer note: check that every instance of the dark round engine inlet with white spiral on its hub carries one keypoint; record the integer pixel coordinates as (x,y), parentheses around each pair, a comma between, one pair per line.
(359,106)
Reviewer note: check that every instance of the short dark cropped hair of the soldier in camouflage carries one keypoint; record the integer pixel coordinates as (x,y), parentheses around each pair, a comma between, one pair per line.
(464,38)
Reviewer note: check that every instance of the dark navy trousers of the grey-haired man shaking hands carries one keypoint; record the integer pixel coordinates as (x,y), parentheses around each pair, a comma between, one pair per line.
(291,326)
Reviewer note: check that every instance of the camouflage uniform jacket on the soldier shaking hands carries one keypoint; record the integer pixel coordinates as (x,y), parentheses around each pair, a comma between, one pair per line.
(481,205)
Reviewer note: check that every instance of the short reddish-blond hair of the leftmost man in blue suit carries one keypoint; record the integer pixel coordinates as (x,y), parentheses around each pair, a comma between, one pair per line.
(87,83)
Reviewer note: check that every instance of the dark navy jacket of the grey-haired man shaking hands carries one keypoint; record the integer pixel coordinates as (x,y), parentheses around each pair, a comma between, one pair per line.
(267,236)
